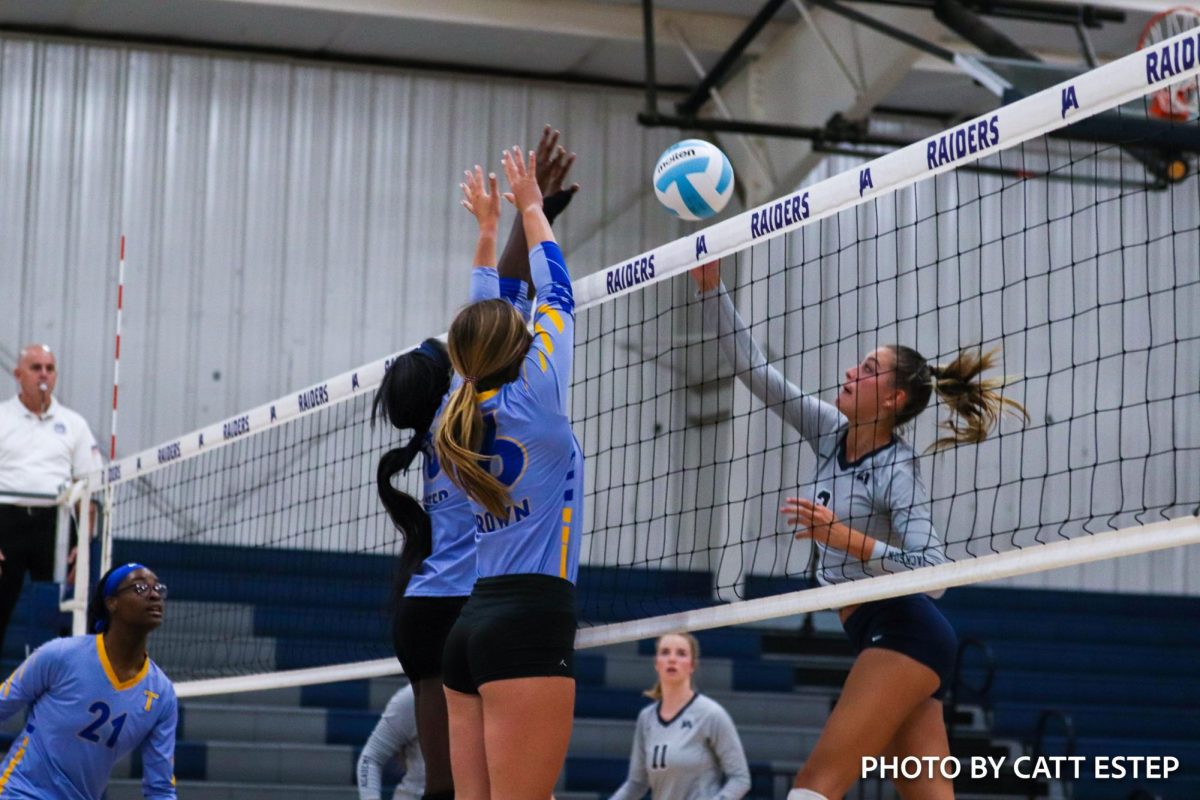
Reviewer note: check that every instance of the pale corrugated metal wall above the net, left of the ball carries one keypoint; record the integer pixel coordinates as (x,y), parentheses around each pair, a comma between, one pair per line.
(285,221)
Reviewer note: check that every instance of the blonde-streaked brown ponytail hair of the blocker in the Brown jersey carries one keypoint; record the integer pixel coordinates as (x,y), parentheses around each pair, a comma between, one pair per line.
(488,342)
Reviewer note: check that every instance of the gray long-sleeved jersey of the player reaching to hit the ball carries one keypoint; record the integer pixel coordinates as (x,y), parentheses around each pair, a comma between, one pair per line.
(880,496)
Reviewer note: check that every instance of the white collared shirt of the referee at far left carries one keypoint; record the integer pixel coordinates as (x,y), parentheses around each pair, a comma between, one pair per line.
(39,456)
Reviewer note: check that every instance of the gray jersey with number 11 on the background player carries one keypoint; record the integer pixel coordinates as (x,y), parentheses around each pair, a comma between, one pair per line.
(697,756)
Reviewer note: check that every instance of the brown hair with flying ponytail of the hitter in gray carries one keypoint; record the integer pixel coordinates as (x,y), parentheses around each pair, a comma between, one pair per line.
(977,402)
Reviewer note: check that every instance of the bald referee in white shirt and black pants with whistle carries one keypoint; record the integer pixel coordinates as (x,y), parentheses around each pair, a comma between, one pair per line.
(44,447)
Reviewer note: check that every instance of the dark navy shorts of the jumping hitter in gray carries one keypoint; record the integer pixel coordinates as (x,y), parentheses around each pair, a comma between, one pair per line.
(910,625)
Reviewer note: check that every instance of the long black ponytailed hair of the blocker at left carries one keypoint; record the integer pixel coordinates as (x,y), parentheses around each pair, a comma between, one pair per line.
(409,398)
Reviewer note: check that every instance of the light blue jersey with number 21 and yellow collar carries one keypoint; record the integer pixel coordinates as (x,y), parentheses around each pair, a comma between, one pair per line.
(82,720)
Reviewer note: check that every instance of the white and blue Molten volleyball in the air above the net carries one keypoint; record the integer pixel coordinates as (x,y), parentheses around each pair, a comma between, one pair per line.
(694,179)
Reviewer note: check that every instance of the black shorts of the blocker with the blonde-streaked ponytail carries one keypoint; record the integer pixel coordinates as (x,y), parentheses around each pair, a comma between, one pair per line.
(513,627)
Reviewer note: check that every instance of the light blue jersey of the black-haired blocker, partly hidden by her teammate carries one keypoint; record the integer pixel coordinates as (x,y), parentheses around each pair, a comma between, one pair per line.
(451,569)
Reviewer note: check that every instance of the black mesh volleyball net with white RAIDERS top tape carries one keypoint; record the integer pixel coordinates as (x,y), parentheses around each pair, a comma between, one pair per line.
(1076,258)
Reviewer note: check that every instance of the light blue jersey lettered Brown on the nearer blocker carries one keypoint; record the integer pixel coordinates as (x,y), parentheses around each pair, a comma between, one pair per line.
(527,434)
